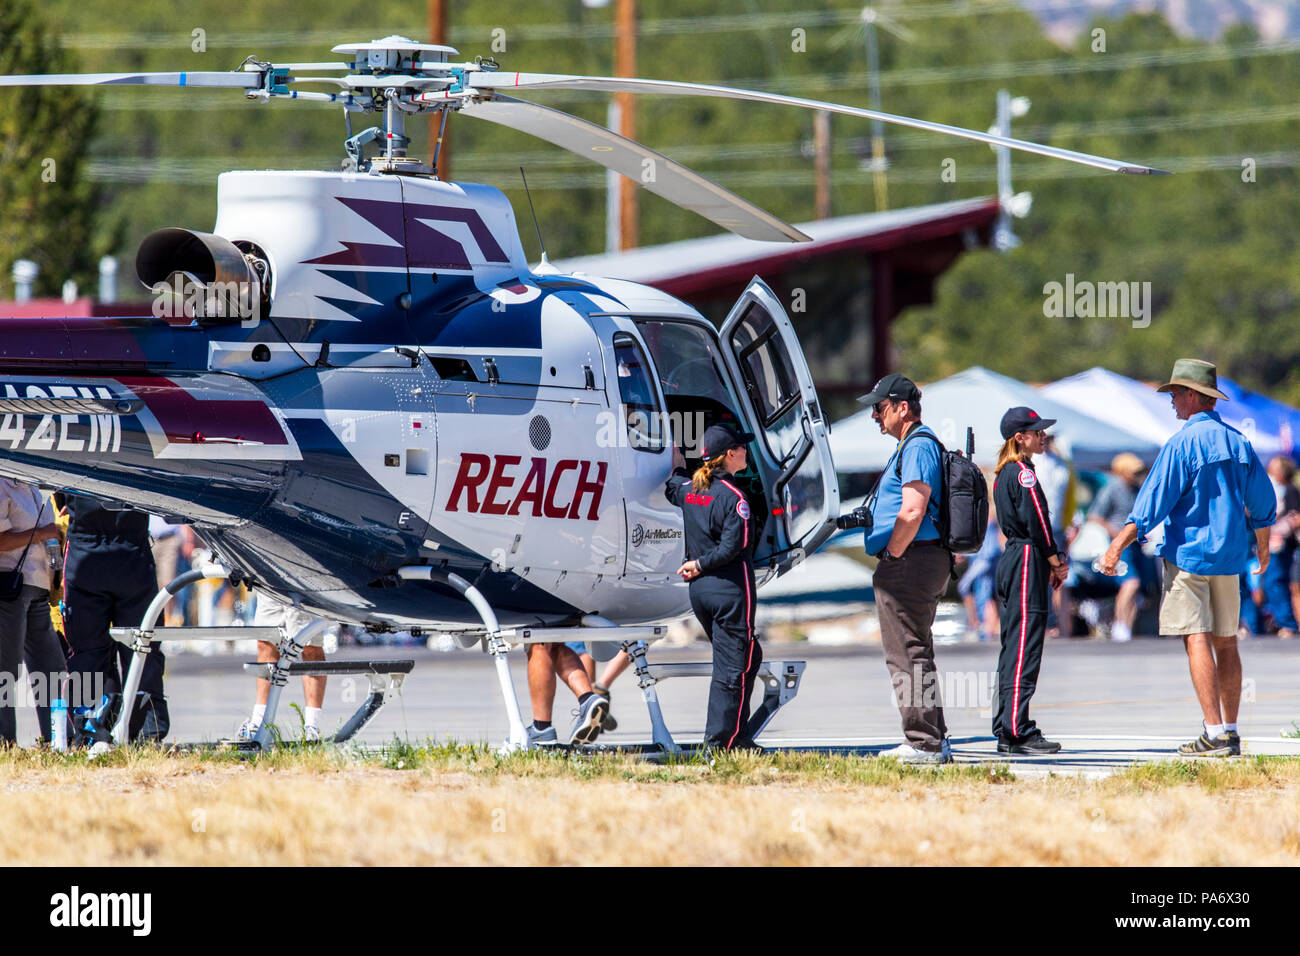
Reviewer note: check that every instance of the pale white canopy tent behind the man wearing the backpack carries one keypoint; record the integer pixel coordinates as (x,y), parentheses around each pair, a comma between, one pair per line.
(978,399)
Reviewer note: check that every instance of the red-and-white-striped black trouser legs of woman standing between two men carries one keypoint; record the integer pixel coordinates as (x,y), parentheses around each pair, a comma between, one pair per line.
(1024,590)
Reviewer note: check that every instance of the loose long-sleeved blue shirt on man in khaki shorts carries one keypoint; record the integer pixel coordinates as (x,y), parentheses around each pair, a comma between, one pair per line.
(1208,490)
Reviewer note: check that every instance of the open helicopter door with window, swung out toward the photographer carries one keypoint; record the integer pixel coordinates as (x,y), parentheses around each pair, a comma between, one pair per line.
(791,449)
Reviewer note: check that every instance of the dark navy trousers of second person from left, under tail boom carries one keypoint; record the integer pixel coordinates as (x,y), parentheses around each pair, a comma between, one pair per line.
(112,586)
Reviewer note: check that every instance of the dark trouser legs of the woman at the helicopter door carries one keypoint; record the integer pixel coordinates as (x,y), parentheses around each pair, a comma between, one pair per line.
(726,611)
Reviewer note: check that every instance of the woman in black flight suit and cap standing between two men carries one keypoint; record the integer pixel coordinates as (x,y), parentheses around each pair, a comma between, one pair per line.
(1032,565)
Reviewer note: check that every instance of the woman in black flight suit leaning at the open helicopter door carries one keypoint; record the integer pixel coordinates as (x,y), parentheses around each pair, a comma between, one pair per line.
(720,566)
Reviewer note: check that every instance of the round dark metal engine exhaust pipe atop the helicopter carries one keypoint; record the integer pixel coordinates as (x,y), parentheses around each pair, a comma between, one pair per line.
(202,276)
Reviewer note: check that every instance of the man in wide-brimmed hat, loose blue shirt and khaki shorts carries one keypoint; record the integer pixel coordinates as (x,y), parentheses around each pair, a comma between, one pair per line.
(1210,492)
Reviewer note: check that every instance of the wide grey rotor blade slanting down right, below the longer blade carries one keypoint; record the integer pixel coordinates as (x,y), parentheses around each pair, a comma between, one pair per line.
(639,163)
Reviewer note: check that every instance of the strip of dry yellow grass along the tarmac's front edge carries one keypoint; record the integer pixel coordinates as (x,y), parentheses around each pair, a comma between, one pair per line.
(465,806)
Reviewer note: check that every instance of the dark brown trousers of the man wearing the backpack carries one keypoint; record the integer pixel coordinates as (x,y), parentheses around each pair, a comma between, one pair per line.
(908,592)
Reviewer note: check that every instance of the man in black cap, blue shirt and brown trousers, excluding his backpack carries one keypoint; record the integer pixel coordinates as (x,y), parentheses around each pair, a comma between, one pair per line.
(913,570)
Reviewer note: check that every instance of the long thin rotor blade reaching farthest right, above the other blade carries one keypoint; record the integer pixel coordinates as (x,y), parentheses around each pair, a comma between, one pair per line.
(558,81)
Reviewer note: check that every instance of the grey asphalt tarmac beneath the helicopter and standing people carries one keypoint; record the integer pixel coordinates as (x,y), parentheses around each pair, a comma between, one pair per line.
(1108,704)
